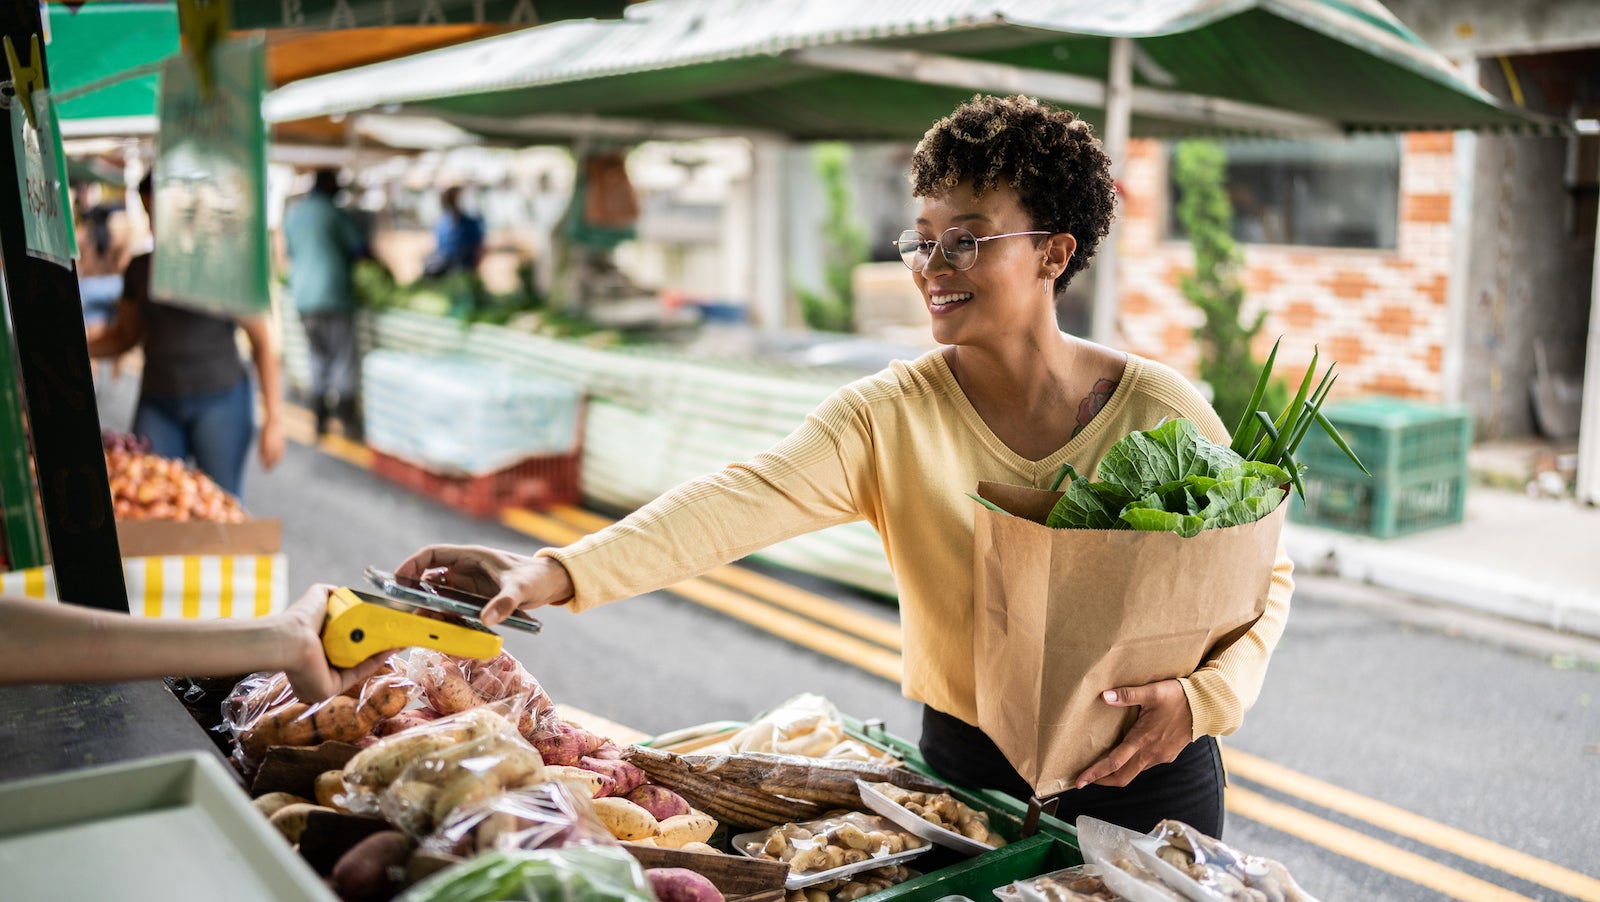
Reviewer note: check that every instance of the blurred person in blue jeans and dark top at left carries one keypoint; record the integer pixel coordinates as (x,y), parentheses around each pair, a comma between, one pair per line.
(196,396)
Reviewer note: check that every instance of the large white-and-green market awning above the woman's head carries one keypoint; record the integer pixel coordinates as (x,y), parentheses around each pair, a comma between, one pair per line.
(842,70)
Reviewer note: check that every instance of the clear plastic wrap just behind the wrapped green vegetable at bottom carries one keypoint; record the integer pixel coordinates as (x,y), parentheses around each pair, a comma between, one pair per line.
(546,816)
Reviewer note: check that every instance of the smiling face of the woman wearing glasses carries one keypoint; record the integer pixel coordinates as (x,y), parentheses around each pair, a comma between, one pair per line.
(1006,290)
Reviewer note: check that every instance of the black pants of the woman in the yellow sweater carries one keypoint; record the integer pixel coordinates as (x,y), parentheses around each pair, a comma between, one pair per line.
(1188,789)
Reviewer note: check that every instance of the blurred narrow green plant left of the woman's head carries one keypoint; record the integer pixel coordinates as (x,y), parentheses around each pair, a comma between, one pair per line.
(844,245)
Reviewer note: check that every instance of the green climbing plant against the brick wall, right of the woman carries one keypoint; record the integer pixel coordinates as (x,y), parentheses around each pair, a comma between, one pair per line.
(1206,212)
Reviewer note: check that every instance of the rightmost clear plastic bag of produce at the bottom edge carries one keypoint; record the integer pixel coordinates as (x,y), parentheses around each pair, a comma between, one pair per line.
(1217,868)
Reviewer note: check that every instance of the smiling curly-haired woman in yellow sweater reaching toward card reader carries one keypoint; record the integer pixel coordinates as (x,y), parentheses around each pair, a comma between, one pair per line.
(1015,201)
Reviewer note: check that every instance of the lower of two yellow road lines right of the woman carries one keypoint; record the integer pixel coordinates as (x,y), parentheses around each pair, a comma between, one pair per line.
(1366,850)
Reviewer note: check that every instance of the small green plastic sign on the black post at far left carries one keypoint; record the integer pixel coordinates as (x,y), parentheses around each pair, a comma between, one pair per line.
(42,182)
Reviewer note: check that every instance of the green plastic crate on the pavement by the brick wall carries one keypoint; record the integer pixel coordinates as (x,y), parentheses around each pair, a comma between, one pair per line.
(1418,458)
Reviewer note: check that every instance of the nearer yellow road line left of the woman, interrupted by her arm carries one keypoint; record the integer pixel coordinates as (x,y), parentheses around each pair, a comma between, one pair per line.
(807,634)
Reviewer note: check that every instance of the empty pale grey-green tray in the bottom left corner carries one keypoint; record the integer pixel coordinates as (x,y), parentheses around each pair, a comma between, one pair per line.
(167,829)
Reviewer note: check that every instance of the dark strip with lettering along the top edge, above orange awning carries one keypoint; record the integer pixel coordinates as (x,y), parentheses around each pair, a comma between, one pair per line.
(385,14)
